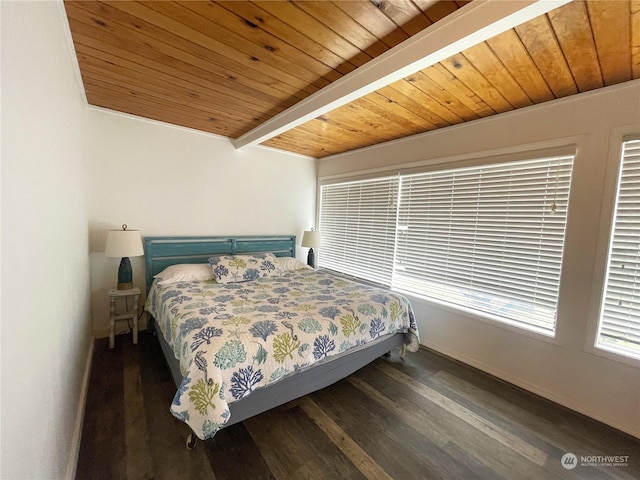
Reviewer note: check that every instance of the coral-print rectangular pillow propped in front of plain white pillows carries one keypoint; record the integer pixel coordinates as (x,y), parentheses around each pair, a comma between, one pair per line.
(242,268)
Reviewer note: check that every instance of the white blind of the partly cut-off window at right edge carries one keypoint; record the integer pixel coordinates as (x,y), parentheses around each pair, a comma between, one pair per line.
(619,326)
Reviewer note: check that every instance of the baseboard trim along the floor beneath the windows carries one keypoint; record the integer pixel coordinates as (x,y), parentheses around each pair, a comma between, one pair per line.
(535,389)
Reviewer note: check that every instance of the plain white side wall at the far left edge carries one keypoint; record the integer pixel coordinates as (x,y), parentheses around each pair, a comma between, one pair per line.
(46,327)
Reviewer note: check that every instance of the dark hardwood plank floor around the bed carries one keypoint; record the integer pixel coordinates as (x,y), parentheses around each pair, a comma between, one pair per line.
(421,417)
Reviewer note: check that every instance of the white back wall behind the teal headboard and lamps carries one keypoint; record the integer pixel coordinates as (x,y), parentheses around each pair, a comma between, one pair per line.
(165,180)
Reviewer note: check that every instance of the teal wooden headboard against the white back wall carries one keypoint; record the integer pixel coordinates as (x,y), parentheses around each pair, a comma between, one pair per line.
(160,252)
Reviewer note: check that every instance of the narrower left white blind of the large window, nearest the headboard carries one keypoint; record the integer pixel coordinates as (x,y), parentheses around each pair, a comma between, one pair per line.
(357,222)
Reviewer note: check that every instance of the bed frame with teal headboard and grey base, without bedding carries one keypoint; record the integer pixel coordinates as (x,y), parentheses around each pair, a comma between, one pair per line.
(160,252)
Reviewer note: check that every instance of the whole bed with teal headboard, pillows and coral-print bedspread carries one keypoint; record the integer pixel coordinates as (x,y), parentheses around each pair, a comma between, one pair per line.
(262,329)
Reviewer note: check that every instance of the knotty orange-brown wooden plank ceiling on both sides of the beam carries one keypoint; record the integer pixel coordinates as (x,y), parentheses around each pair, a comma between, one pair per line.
(226,67)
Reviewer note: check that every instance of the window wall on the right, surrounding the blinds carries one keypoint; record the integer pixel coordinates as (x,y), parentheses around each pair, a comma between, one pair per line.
(566,369)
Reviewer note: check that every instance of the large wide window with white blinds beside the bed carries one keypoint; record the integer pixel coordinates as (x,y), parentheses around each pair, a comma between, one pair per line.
(487,238)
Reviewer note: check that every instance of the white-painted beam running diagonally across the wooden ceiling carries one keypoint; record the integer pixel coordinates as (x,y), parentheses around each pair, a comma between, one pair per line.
(468,26)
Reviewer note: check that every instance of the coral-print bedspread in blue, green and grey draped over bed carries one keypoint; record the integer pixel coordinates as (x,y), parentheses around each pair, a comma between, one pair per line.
(233,338)
